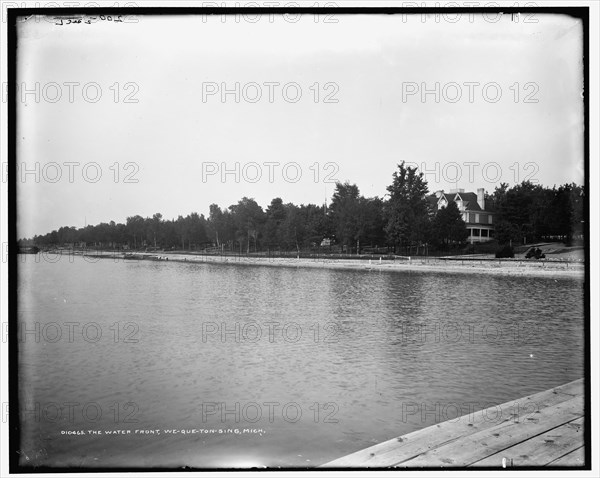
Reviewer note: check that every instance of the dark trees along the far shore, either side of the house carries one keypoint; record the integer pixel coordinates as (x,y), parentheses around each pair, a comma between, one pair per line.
(402,221)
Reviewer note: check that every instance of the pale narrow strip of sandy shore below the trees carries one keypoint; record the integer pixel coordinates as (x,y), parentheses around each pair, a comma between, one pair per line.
(515,267)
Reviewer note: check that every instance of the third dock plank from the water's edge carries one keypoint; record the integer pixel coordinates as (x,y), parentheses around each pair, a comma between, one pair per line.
(542,449)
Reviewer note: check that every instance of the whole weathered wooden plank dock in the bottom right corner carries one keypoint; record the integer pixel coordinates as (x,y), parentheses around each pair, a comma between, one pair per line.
(545,429)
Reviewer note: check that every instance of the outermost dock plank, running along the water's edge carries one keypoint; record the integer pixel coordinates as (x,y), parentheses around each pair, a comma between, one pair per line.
(398,449)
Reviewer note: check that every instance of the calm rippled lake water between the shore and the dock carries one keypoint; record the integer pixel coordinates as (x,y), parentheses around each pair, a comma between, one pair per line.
(306,364)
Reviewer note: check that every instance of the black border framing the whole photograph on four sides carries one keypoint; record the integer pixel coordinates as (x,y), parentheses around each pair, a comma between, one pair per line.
(579,12)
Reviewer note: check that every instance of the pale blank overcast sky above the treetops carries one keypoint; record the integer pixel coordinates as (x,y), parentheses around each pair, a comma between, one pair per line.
(360,112)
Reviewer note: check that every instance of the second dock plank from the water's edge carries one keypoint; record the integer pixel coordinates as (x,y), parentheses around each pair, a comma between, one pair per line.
(477,446)
